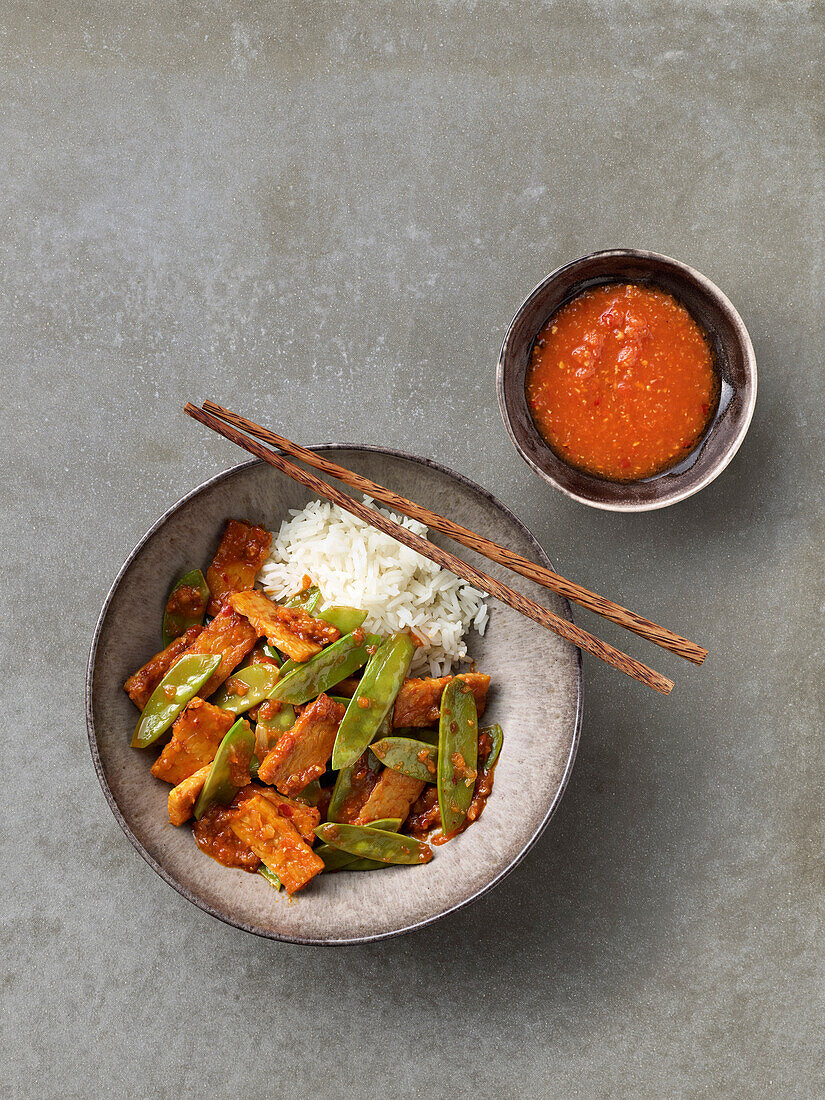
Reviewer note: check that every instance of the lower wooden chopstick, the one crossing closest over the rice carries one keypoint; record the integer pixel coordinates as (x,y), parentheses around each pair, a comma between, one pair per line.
(444,558)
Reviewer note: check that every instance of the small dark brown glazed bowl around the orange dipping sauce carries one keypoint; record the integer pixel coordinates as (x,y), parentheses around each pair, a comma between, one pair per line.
(735,362)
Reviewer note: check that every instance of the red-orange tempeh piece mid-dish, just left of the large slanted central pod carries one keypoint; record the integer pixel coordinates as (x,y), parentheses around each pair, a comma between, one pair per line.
(302,754)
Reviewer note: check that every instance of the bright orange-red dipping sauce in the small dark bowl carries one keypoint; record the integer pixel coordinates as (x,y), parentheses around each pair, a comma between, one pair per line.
(622,382)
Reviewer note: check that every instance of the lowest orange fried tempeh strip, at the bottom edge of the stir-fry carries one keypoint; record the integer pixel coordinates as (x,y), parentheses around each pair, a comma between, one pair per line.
(259,823)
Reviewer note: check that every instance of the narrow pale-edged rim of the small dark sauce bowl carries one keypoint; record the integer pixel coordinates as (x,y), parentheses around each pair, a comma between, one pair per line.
(710,289)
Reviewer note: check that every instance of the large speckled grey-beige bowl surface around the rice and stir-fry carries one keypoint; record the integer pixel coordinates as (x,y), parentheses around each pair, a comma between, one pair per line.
(536,697)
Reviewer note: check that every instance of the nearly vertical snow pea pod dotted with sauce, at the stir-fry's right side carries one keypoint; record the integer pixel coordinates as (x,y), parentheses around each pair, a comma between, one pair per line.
(458,755)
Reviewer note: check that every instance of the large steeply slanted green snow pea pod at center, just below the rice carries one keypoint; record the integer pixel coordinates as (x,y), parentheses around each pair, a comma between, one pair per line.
(380,685)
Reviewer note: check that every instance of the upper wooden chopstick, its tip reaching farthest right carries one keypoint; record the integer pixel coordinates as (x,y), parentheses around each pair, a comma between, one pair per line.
(659,635)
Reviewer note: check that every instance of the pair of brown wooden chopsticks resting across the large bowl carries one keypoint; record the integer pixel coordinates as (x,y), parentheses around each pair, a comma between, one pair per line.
(233,427)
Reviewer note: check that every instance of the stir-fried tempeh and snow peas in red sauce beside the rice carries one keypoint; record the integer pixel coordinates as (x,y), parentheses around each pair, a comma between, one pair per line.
(295,740)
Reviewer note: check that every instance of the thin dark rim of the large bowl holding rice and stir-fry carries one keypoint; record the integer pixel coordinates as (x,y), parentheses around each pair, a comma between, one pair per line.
(170,879)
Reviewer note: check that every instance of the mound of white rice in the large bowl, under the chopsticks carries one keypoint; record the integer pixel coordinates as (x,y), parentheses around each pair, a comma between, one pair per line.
(356,565)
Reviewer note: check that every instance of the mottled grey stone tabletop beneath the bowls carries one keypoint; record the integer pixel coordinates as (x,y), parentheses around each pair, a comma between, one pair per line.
(326,216)
